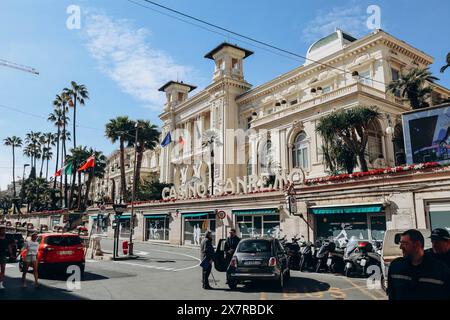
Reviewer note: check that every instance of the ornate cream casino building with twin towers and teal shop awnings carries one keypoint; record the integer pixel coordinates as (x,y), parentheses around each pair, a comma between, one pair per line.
(266,148)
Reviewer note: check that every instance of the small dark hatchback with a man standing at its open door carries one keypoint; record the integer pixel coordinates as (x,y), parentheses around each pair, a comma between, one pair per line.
(259,259)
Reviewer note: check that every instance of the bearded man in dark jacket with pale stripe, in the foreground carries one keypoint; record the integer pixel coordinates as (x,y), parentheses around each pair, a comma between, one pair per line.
(417,276)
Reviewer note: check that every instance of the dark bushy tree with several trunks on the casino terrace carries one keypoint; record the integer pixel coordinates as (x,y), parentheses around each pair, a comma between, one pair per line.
(351,126)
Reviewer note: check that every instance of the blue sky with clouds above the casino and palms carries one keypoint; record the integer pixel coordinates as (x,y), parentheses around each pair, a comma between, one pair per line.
(123,53)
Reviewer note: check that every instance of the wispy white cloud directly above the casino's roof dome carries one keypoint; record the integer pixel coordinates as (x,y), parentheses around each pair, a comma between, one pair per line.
(351,19)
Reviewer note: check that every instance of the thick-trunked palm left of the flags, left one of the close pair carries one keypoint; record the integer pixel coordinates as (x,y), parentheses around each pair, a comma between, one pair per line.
(119,129)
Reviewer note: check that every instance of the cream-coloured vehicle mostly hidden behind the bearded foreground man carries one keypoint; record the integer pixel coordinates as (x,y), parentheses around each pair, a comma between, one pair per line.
(391,249)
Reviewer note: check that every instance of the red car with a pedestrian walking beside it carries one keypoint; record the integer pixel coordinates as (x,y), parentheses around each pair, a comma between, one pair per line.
(57,250)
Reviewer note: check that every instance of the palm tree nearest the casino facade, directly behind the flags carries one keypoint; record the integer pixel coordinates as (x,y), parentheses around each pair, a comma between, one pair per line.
(148,137)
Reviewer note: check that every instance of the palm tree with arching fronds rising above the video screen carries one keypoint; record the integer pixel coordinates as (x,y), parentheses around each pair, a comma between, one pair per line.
(414,86)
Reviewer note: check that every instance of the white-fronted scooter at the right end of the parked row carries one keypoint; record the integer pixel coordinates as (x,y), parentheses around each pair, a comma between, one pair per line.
(359,256)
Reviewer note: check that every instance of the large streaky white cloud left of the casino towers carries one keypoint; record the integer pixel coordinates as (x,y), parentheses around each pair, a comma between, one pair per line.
(124,54)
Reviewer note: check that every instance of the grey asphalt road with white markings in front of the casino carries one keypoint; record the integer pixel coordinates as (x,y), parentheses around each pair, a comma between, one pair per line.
(172,273)
